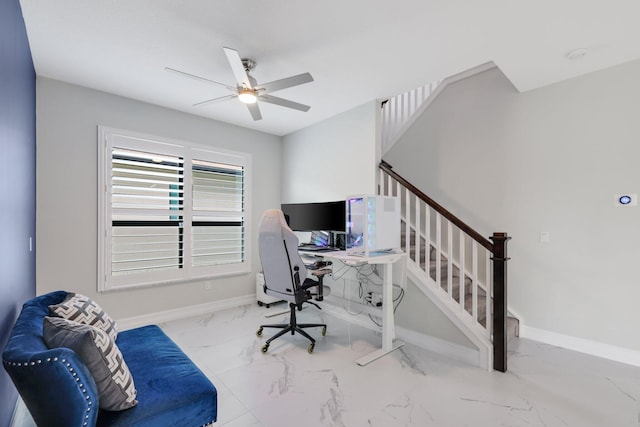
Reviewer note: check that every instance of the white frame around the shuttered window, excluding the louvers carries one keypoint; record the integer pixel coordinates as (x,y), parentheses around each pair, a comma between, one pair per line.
(108,138)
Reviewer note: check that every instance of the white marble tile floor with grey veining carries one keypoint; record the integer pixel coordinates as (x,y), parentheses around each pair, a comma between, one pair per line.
(545,386)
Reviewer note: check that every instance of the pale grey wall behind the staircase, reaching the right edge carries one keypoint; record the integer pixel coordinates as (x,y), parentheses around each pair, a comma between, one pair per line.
(546,160)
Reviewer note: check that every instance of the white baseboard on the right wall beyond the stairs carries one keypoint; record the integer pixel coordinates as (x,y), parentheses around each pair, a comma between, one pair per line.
(593,348)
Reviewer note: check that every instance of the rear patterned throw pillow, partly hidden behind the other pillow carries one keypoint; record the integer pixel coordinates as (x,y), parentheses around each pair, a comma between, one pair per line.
(83,310)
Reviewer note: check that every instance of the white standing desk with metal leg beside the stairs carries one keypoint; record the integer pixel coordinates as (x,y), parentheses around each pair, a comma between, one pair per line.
(388,323)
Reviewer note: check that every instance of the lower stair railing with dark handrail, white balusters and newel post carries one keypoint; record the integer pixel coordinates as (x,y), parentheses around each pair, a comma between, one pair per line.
(466,270)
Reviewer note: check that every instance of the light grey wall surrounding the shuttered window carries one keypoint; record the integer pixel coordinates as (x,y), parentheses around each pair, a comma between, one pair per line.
(67,120)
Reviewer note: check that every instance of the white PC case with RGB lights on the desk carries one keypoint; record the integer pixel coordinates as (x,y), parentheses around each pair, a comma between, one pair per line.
(373,225)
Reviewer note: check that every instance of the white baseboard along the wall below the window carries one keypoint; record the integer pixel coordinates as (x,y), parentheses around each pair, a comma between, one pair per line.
(184,312)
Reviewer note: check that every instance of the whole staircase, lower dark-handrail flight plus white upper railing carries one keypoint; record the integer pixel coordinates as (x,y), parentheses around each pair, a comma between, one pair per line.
(460,271)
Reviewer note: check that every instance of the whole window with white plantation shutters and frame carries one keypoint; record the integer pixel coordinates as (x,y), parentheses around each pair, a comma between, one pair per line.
(169,211)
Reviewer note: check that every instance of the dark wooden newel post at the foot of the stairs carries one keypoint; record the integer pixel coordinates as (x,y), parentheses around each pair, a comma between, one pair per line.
(500,259)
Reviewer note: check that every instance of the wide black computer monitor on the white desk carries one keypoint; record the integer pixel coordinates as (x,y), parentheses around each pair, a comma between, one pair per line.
(325,216)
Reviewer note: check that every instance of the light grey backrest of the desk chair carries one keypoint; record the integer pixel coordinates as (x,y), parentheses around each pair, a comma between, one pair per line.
(278,248)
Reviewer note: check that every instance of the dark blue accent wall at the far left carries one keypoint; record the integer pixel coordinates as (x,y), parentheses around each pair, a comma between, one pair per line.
(17,181)
